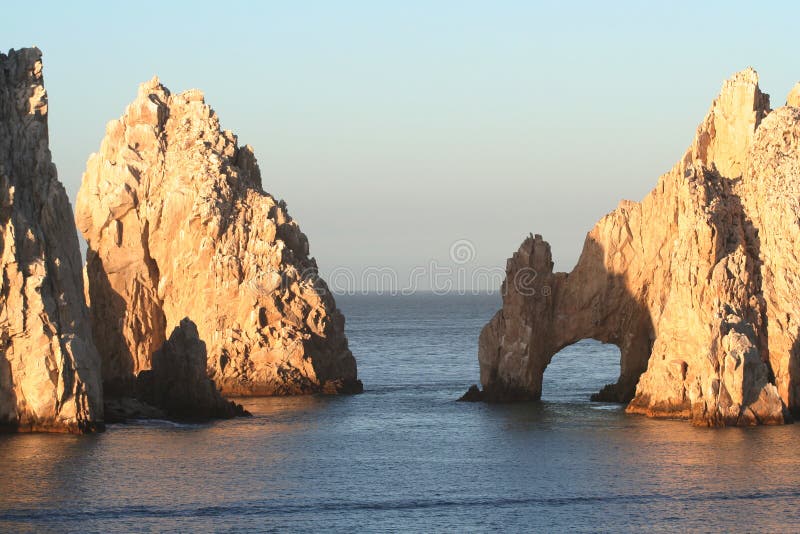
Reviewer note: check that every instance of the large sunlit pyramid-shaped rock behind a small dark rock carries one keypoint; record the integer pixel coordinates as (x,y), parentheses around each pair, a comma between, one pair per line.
(178,225)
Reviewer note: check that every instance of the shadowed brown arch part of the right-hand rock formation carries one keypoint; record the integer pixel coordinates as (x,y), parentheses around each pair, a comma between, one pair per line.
(567,308)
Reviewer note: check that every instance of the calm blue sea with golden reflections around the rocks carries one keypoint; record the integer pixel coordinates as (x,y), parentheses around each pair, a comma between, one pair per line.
(404,456)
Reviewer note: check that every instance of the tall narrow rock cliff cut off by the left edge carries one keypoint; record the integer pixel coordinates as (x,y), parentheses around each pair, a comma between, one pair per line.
(49,367)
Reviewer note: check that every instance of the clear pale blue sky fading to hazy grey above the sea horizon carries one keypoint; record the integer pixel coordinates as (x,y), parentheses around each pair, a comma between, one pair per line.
(394,129)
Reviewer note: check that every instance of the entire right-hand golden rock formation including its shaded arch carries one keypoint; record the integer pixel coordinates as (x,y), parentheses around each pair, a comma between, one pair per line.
(698,284)
